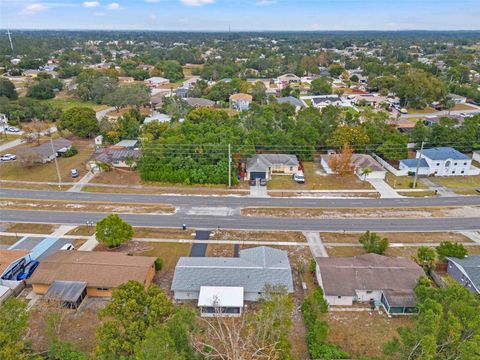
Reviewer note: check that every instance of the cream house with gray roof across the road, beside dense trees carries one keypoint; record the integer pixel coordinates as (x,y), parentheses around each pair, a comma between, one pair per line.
(263,166)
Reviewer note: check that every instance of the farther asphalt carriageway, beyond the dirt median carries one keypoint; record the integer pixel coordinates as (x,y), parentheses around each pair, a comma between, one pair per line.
(239,201)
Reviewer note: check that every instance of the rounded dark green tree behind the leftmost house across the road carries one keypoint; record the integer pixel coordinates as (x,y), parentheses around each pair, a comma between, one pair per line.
(80,121)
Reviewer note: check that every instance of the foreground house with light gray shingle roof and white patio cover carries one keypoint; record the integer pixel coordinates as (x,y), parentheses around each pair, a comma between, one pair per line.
(252,271)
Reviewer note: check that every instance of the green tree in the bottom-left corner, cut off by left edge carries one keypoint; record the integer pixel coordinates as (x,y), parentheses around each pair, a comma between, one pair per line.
(13,327)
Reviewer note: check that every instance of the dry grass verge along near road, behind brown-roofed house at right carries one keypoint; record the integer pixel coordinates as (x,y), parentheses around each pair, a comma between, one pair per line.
(398,237)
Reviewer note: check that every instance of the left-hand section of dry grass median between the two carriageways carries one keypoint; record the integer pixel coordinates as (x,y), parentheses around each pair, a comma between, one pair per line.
(86,206)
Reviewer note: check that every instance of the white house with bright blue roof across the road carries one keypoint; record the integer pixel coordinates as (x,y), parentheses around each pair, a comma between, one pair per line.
(442,161)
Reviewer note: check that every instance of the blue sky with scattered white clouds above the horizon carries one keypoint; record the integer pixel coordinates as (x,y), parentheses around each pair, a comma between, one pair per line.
(241,15)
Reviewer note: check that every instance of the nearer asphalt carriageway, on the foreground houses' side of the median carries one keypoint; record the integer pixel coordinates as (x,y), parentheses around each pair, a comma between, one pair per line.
(252,223)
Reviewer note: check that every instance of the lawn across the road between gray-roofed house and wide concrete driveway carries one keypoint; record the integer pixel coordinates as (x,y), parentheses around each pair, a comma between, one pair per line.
(315,179)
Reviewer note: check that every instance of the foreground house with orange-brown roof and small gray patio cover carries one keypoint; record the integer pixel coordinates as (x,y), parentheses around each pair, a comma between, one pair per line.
(93,273)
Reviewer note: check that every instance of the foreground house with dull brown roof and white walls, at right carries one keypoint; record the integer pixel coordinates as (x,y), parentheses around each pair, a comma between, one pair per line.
(387,281)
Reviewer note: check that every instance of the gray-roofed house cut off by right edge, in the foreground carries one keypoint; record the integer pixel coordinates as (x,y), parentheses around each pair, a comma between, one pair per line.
(466,271)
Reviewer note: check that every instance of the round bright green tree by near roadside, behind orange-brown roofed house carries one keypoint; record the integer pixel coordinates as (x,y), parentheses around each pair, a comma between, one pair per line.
(113,231)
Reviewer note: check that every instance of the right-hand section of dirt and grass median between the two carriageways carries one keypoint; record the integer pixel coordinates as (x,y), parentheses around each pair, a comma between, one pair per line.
(348,213)
